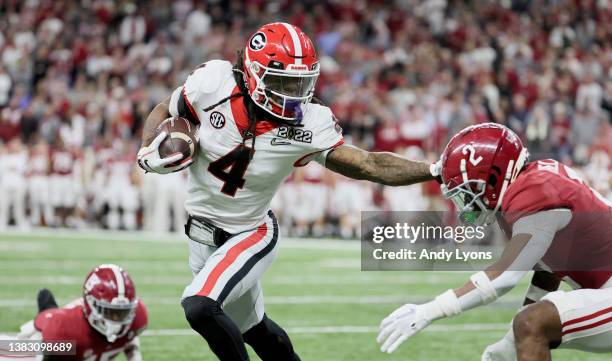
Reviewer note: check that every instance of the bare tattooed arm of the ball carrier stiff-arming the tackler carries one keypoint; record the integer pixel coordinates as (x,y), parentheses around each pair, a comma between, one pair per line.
(380,167)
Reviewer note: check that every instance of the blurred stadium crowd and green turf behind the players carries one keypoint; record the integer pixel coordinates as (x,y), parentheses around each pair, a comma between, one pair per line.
(77,79)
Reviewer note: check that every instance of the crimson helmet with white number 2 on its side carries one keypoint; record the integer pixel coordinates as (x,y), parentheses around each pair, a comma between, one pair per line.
(478,165)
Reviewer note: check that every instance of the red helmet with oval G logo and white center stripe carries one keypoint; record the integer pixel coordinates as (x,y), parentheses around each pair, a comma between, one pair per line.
(281,69)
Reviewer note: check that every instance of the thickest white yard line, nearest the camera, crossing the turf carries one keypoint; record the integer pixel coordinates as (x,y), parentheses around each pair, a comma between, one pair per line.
(319,330)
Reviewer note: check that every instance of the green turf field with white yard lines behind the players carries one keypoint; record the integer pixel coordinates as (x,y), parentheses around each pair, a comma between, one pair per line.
(315,290)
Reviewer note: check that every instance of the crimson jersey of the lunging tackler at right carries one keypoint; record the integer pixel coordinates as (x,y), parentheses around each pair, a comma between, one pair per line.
(581,251)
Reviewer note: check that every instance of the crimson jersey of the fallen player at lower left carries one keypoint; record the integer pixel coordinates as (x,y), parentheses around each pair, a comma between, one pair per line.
(69,324)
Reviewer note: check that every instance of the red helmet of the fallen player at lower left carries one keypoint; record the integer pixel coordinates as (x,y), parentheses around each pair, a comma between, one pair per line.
(109,301)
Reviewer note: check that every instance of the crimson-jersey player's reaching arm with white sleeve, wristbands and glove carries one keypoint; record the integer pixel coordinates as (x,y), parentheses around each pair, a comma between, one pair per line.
(532,236)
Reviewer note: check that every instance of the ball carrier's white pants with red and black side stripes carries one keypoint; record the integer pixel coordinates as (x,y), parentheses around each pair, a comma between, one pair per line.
(231,274)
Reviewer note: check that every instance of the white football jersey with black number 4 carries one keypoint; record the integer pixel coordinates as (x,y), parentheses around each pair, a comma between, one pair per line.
(225,187)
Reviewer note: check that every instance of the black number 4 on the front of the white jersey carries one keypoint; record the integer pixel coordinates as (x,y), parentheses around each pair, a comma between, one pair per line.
(237,161)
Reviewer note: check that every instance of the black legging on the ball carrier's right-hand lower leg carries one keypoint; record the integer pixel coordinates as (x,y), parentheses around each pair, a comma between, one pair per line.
(270,341)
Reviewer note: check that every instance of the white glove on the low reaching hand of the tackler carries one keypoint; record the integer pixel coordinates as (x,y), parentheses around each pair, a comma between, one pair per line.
(402,324)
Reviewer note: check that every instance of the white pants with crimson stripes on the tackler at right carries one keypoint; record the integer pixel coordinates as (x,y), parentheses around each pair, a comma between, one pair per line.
(586,319)
